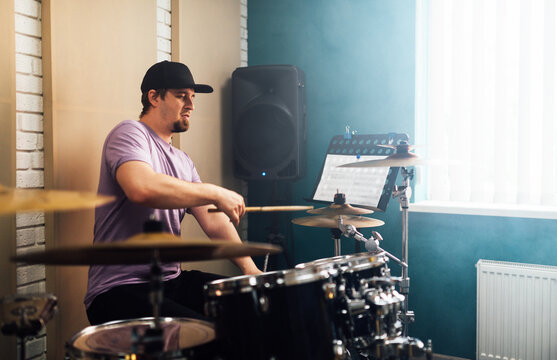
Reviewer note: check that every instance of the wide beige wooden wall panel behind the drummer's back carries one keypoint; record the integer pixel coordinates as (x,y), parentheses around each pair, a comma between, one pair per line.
(95,55)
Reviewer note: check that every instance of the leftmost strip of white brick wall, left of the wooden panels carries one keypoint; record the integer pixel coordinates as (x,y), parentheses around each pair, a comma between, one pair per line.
(29,151)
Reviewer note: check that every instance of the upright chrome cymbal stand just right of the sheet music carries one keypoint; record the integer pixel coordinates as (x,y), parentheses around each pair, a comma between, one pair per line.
(403,193)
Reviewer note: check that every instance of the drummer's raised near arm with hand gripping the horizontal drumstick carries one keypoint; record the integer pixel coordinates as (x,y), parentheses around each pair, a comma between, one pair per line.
(144,186)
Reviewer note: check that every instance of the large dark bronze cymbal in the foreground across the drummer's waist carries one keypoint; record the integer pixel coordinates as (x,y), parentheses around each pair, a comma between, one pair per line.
(140,249)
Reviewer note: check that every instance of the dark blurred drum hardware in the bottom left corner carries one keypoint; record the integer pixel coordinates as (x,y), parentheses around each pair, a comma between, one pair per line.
(26,315)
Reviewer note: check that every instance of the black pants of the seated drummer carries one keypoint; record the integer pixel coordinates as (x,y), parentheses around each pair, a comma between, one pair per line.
(182,297)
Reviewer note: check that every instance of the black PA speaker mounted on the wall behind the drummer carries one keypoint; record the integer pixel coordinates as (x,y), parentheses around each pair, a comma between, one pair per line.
(269,118)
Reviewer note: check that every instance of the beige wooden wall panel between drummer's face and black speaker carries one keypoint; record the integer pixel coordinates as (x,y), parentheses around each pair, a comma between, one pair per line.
(209,43)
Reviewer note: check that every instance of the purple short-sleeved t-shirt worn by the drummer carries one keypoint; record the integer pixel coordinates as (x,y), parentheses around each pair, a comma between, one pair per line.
(133,141)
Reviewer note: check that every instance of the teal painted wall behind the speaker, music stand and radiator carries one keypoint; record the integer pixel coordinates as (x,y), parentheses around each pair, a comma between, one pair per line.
(359,61)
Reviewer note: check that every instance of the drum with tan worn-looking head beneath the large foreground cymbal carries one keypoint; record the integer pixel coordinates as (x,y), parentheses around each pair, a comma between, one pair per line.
(183,339)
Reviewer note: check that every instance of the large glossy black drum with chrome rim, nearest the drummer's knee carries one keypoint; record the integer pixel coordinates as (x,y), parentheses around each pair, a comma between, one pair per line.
(282,315)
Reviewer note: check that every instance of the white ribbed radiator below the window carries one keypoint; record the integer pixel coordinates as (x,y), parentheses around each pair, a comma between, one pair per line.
(516,311)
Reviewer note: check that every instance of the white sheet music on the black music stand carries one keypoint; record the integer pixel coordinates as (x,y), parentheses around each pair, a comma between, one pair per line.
(362,186)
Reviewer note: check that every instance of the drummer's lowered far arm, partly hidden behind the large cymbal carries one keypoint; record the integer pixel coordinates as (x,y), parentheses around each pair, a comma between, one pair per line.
(218,225)
